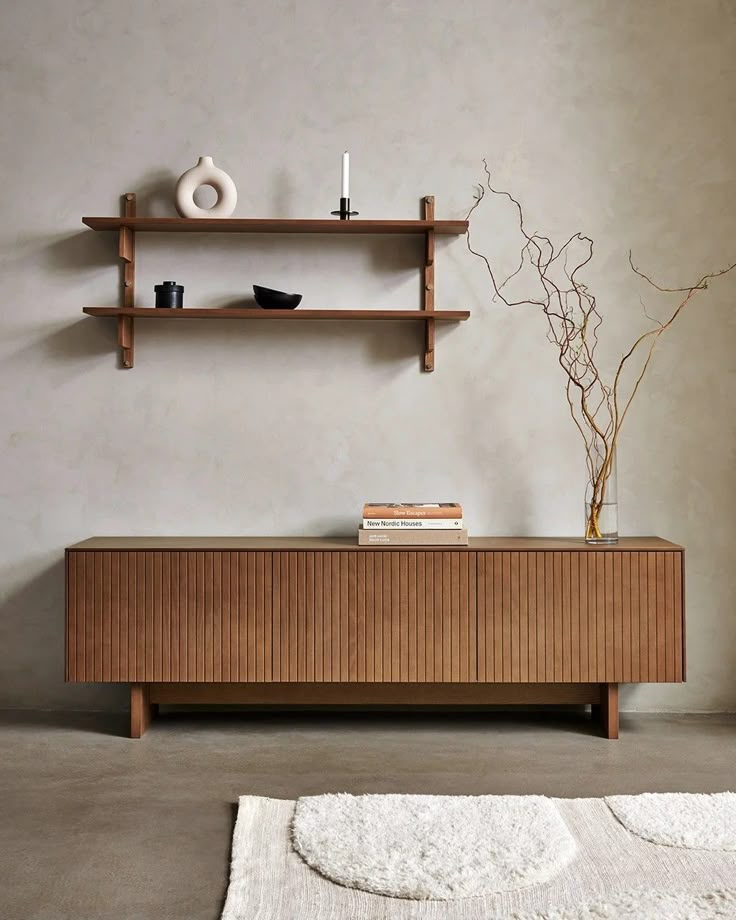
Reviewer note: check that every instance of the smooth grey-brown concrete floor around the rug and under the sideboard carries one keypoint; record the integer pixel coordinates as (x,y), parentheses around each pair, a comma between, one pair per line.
(95,825)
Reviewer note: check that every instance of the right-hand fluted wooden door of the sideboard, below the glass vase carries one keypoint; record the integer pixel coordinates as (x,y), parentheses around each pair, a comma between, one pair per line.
(561,617)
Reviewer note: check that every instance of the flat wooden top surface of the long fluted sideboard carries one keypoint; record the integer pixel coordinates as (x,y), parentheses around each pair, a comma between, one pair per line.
(331,544)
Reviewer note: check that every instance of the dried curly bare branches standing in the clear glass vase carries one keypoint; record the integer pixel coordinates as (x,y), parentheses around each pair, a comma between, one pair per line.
(597,408)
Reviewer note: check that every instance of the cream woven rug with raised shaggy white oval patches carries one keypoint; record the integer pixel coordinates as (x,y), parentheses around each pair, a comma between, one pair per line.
(613,874)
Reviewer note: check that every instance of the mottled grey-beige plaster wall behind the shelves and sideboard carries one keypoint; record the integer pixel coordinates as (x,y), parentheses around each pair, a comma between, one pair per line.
(611,118)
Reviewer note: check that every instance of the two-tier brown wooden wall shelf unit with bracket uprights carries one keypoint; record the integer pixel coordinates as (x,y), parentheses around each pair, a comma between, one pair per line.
(129,224)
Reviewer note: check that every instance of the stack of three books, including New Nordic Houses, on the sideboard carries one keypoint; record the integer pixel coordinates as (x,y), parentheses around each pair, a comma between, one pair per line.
(430,524)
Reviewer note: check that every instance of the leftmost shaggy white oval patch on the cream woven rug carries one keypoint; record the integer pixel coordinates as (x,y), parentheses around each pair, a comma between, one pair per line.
(432,846)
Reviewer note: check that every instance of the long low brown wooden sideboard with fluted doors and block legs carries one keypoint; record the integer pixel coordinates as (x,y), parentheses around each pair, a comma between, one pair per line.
(312,621)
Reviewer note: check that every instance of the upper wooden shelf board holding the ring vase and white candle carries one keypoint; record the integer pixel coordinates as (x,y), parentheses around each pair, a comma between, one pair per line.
(258,225)
